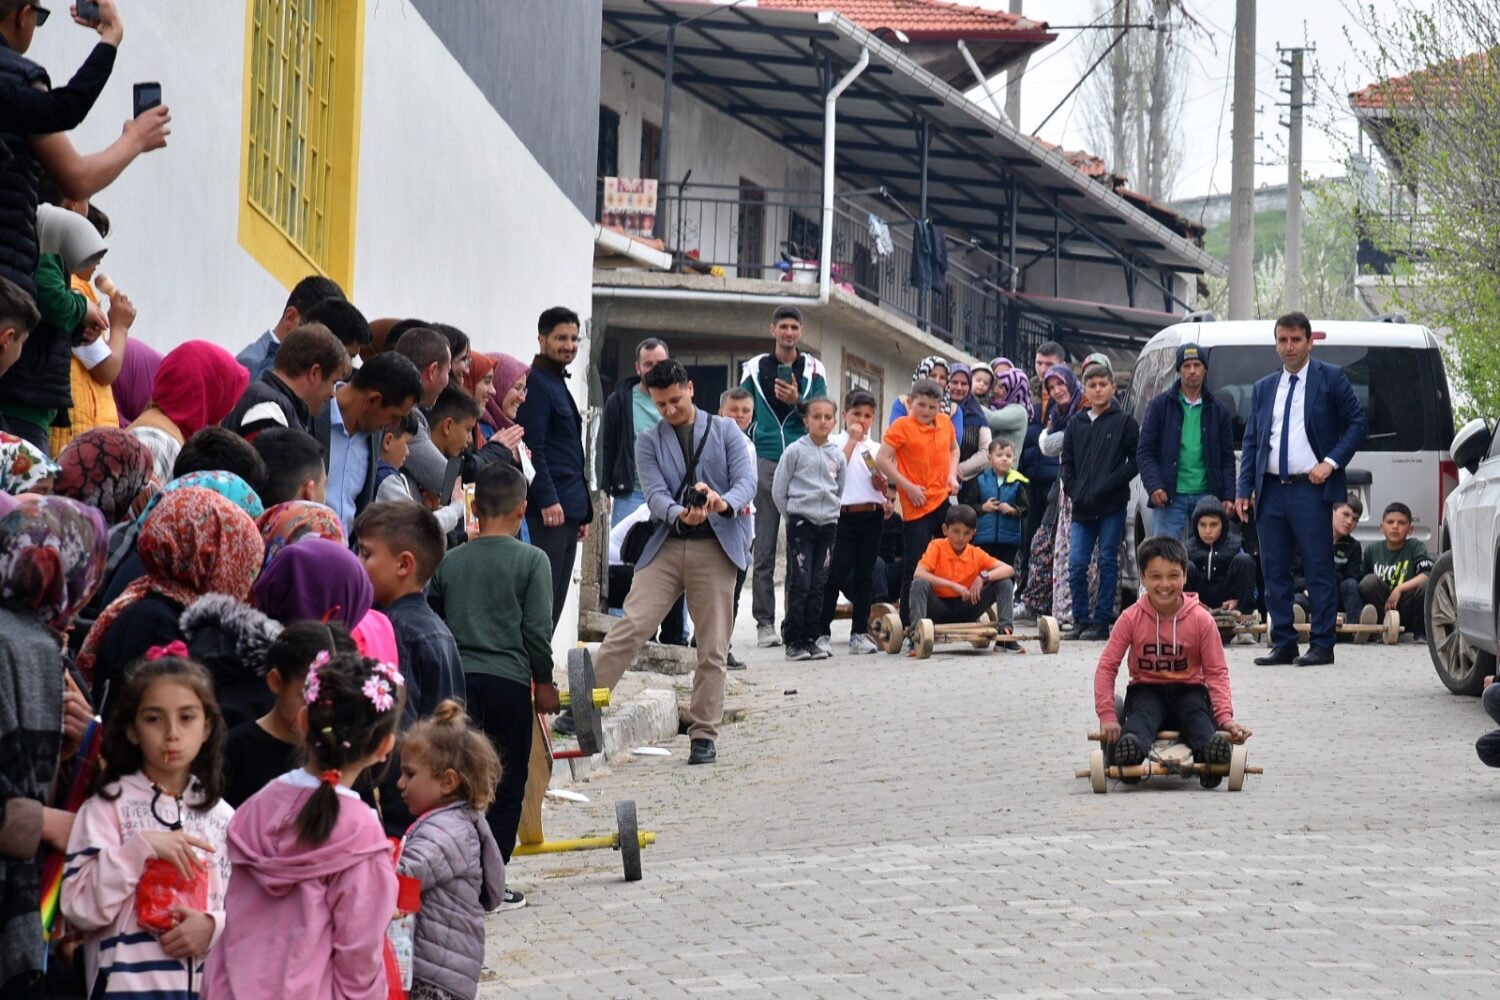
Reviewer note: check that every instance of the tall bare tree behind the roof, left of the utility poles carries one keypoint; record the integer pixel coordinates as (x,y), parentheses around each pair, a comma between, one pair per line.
(1133,103)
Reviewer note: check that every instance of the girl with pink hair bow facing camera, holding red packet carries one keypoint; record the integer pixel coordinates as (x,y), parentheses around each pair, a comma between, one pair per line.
(155,818)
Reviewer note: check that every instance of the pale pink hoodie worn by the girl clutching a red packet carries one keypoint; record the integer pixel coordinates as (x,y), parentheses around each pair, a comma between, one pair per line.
(107,855)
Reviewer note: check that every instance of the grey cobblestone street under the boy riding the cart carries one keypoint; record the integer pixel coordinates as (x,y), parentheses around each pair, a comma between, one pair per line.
(883,827)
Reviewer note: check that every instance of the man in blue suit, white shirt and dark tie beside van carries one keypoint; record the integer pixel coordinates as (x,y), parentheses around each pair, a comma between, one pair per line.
(1306,425)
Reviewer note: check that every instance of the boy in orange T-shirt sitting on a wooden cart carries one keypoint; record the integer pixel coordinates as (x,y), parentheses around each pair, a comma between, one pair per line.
(956,581)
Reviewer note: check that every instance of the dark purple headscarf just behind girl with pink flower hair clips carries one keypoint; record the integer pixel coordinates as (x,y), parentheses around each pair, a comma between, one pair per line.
(316,581)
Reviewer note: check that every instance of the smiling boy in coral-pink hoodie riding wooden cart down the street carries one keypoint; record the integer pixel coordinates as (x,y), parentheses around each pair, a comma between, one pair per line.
(1178,675)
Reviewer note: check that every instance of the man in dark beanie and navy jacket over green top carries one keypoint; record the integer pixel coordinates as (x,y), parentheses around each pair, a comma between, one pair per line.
(1187,448)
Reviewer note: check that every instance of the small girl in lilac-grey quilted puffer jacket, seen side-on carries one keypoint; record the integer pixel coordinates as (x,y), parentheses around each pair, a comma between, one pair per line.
(449,771)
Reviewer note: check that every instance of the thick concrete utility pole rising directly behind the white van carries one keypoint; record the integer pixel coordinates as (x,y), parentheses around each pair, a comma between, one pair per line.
(1243,167)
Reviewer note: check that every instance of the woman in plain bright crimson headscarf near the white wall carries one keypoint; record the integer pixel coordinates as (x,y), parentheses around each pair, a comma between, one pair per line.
(196,386)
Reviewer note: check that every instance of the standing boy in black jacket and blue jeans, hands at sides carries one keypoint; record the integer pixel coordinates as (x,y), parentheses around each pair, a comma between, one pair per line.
(1099,463)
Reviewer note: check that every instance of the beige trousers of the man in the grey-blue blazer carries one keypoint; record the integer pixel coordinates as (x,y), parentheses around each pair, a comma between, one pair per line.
(700,569)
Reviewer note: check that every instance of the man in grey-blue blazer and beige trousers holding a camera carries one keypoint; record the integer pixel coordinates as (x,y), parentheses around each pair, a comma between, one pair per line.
(697,548)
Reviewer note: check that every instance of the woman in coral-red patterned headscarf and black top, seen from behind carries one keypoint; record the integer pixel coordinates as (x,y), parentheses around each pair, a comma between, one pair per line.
(194,542)
